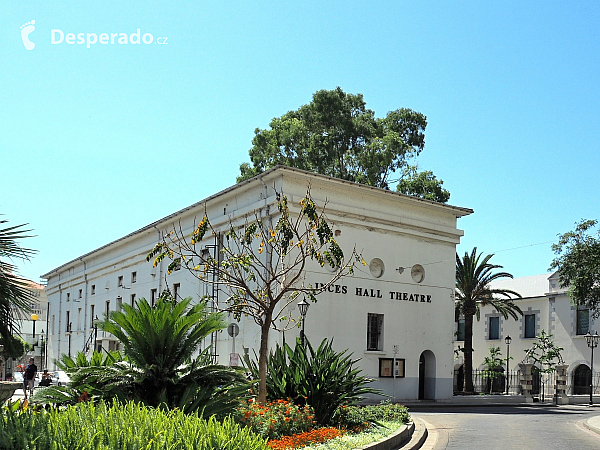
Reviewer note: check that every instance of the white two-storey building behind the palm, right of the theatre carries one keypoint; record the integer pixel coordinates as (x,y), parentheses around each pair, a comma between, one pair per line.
(546,306)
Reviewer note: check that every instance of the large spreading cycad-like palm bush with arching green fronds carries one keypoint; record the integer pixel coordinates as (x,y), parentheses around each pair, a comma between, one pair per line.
(158,368)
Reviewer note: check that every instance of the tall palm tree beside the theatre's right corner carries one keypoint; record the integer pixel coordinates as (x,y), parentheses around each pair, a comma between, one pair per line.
(474,273)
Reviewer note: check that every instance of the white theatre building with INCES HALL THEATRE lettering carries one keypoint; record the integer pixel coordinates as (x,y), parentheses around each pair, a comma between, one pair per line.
(394,314)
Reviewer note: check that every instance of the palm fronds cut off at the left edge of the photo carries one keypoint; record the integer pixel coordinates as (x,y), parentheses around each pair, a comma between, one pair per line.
(15,297)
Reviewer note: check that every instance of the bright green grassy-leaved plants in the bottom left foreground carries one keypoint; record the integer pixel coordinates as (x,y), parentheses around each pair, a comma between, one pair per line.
(130,426)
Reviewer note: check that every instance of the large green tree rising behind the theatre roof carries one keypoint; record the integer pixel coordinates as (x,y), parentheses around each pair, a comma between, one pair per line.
(337,135)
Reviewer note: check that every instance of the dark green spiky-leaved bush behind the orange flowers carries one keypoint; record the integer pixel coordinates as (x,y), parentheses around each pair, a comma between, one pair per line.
(322,378)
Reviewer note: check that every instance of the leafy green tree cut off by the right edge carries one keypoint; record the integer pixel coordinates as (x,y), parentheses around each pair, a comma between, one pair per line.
(578,264)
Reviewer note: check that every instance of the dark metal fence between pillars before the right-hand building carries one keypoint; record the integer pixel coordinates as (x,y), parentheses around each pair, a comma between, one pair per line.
(542,384)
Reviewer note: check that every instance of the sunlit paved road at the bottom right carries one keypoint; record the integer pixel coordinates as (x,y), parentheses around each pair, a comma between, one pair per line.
(508,428)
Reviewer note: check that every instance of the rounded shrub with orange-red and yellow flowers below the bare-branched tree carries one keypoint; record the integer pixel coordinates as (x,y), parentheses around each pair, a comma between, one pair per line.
(276,419)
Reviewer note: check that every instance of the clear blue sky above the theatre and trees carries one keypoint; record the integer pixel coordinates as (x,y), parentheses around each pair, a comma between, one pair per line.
(98,142)
